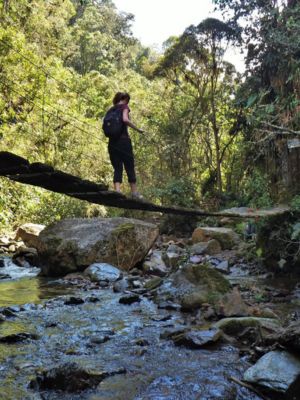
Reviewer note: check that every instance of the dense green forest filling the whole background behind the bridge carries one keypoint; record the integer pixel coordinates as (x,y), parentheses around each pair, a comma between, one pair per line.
(210,128)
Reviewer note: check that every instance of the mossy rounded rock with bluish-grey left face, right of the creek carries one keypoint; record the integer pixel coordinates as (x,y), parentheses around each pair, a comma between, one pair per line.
(193,285)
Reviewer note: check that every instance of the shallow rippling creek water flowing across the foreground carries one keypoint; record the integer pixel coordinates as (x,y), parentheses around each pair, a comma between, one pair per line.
(148,367)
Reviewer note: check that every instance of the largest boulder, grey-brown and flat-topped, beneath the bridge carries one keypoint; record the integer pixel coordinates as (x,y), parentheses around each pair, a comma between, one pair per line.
(74,244)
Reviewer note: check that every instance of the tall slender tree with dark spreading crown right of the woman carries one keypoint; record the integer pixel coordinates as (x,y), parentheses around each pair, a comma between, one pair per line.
(197,59)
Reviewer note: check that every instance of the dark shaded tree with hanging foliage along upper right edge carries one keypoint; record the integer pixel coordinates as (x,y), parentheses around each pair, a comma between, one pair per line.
(269,95)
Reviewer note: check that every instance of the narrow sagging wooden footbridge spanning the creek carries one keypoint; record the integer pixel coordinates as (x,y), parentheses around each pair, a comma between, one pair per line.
(42,175)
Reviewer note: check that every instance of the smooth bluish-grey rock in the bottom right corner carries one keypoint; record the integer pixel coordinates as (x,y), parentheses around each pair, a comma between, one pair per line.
(278,371)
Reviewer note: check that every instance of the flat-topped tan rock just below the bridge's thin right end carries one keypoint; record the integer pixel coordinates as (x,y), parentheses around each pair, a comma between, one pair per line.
(226,236)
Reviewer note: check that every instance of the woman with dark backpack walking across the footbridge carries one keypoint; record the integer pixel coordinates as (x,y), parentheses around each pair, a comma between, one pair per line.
(119,145)
